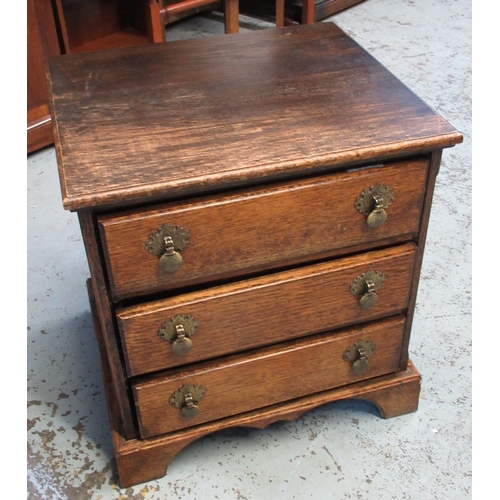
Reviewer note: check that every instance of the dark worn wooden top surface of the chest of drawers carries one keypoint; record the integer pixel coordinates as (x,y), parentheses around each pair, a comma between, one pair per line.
(159,121)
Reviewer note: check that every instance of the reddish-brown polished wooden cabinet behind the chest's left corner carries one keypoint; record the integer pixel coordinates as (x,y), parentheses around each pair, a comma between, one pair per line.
(70,26)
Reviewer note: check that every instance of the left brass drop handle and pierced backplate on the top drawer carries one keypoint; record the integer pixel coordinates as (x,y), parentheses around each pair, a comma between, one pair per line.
(167,243)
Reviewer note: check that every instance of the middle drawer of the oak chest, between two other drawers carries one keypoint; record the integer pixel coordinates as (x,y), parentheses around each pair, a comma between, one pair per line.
(262,311)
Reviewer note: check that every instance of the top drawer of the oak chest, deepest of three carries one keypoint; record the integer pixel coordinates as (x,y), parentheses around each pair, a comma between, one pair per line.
(225,236)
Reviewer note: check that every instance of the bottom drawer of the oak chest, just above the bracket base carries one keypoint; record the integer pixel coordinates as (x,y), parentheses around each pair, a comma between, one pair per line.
(241,383)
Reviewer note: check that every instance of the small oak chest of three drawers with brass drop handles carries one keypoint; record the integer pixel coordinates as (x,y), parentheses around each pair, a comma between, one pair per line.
(254,211)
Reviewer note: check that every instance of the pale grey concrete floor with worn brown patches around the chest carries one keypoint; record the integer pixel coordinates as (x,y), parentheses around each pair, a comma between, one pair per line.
(338,451)
